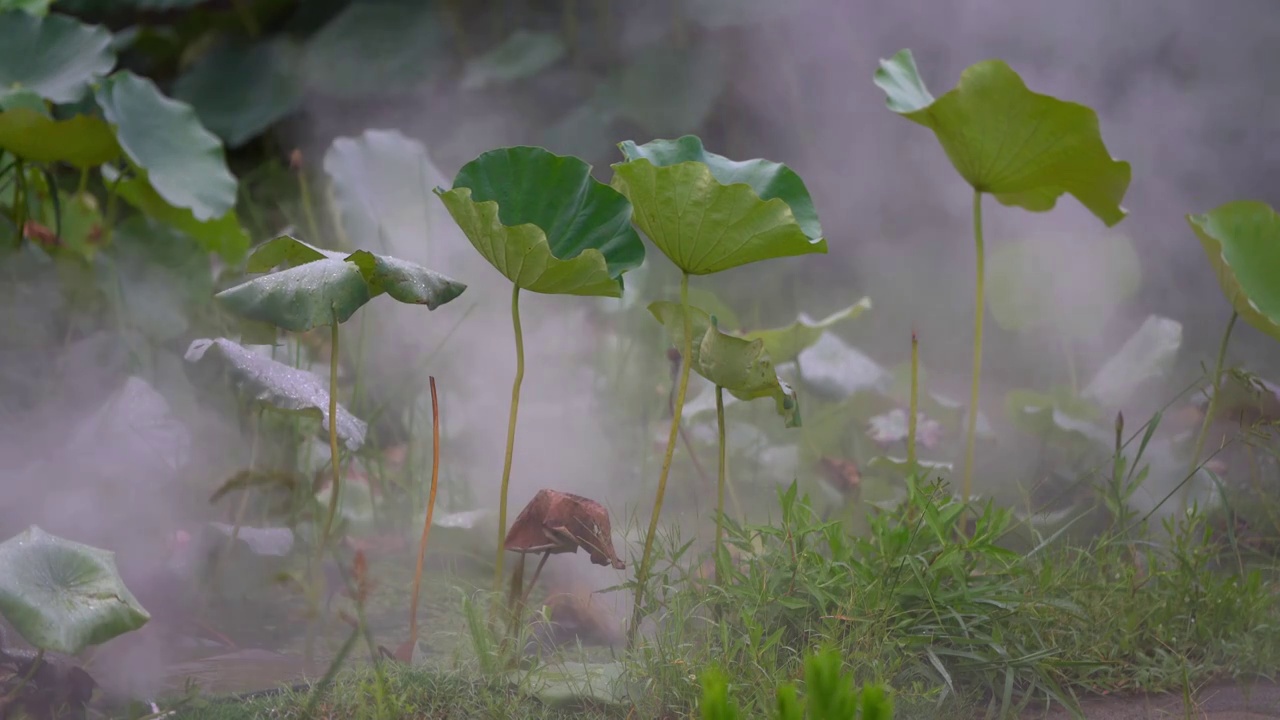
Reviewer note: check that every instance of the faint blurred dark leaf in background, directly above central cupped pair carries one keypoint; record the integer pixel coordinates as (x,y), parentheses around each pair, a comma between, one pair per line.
(669,90)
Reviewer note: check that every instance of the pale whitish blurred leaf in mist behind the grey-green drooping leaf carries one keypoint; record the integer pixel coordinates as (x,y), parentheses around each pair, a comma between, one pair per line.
(382,181)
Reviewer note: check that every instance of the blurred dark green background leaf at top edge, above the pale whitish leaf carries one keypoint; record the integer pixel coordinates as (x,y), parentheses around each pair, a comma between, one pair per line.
(377,48)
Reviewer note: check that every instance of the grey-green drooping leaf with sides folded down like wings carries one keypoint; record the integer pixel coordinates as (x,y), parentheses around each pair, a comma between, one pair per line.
(322,284)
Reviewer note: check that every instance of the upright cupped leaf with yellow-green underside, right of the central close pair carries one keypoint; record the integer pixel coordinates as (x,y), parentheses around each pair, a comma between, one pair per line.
(708,213)
